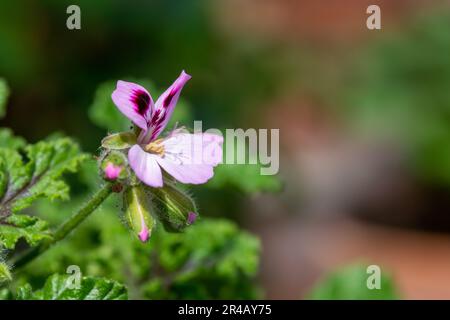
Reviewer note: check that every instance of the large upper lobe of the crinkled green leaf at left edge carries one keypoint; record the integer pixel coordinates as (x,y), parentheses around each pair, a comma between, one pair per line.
(24,181)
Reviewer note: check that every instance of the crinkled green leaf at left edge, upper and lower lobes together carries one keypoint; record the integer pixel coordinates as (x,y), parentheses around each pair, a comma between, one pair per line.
(26,179)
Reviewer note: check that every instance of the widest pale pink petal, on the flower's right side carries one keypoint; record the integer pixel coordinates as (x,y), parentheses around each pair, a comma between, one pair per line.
(190,158)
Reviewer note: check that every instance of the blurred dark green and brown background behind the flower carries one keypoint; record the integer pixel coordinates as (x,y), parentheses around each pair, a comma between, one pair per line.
(364,118)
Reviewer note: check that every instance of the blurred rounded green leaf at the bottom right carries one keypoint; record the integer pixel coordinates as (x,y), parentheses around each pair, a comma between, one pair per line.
(350,283)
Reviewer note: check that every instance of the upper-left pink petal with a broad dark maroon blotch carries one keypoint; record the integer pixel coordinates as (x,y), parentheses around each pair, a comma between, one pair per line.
(134,102)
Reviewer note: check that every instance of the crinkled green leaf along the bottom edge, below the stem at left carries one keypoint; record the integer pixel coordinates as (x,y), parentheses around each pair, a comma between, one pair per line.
(62,287)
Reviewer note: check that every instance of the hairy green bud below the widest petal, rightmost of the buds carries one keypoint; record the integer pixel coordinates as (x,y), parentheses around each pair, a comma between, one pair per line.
(176,209)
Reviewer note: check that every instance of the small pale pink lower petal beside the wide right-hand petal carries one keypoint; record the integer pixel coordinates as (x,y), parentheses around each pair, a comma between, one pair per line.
(145,166)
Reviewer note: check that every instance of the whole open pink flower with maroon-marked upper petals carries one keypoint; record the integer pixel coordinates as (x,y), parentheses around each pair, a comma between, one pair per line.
(189,158)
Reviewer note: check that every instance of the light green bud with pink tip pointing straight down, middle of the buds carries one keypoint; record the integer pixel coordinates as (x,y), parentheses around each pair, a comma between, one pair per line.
(137,211)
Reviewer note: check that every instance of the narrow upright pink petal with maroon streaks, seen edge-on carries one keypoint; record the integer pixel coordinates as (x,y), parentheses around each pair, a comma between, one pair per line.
(165,105)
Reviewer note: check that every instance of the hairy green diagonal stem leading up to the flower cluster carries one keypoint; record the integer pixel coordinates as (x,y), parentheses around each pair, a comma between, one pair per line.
(67,226)
